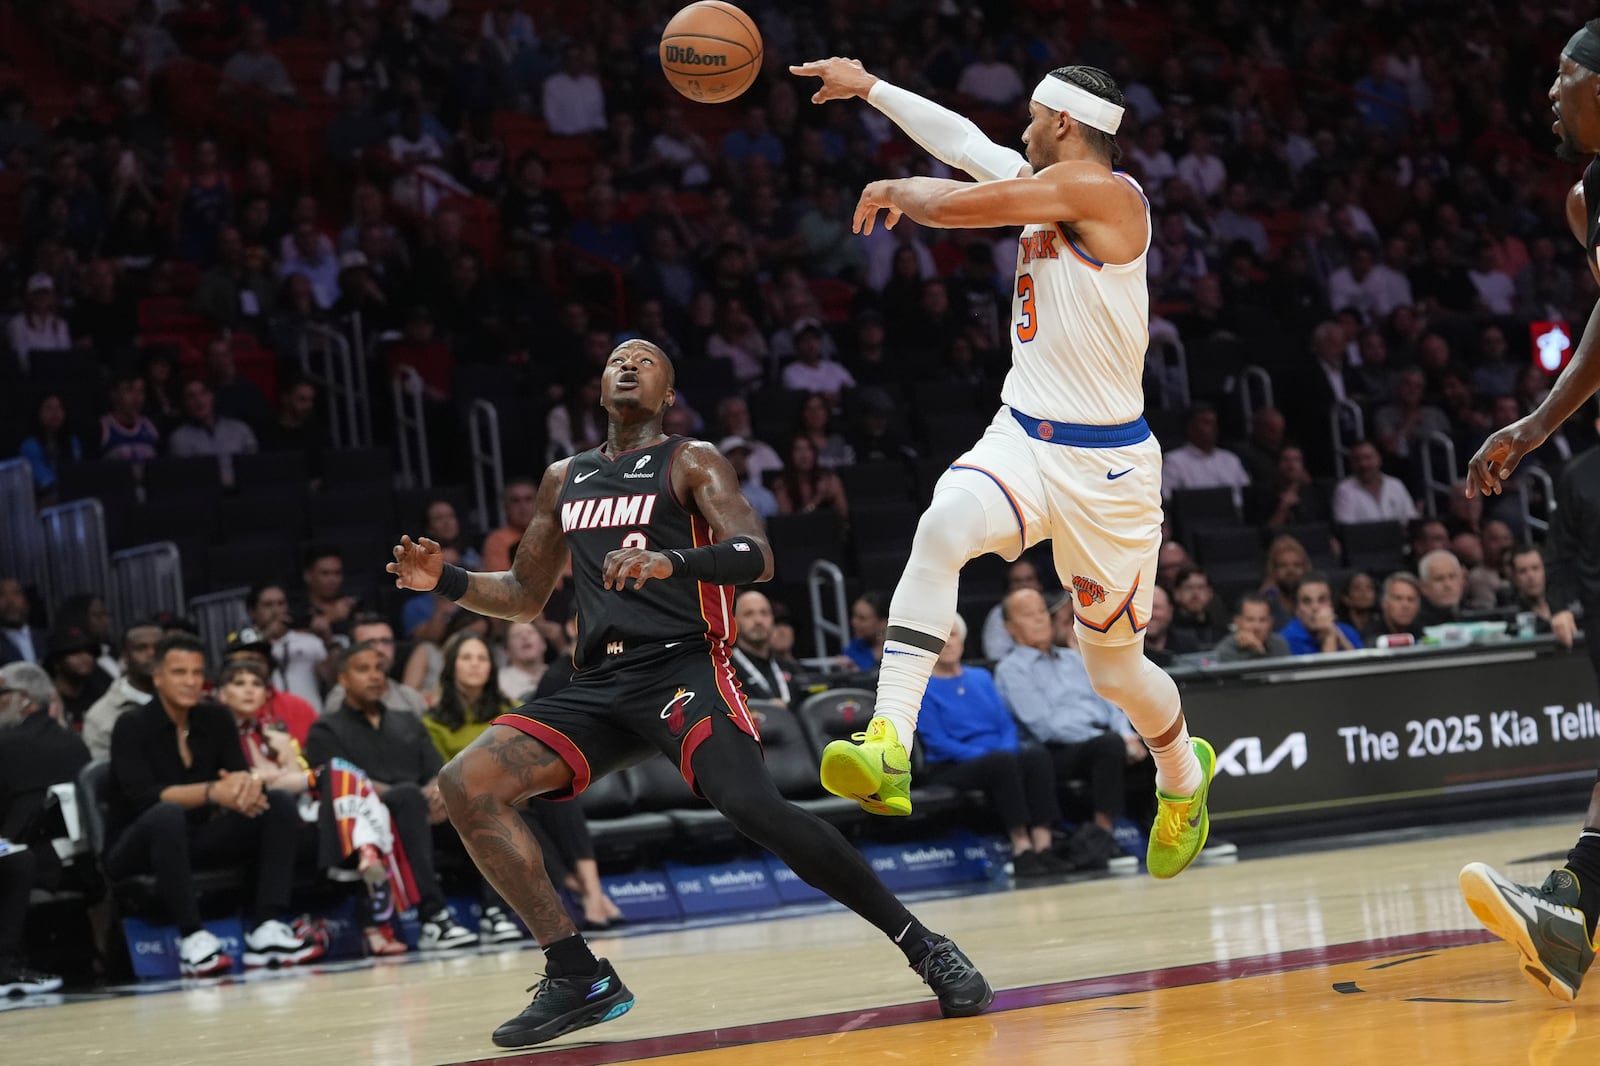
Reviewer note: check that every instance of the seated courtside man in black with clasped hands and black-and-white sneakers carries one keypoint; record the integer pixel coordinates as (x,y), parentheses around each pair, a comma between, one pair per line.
(182,795)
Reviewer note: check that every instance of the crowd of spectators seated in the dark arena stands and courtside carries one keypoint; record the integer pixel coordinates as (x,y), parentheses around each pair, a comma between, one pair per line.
(1356,199)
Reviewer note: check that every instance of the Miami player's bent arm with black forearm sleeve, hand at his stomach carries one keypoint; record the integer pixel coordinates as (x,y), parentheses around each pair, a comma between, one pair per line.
(706,483)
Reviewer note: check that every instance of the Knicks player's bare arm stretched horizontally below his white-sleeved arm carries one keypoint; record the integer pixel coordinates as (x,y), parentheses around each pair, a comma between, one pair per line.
(1066,193)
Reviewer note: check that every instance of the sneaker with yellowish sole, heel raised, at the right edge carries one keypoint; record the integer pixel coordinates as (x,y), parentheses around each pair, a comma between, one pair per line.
(1545,924)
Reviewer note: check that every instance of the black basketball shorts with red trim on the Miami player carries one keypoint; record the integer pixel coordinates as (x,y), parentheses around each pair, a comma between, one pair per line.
(657,700)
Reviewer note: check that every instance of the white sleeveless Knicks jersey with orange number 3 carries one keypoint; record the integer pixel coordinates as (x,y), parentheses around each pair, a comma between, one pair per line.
(1079,331)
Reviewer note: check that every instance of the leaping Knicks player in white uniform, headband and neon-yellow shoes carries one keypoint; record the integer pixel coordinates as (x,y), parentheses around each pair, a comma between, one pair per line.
(1068,459)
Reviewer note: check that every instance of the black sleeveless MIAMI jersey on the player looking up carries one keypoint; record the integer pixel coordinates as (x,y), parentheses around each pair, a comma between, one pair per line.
(628,503)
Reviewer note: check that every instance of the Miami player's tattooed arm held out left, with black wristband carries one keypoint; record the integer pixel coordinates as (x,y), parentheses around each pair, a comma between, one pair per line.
(518,595)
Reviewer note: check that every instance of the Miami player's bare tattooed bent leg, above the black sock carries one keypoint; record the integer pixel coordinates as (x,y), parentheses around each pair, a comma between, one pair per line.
(481,788)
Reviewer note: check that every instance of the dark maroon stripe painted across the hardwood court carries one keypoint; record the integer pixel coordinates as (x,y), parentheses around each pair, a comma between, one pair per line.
(1009,1000)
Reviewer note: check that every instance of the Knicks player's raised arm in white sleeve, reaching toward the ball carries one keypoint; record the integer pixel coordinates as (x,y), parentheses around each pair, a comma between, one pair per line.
(943,134)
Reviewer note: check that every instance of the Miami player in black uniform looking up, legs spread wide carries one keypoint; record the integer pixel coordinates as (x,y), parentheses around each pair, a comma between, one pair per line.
(660,537)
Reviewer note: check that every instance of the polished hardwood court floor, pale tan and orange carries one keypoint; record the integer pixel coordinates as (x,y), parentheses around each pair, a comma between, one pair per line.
(1233,964)
